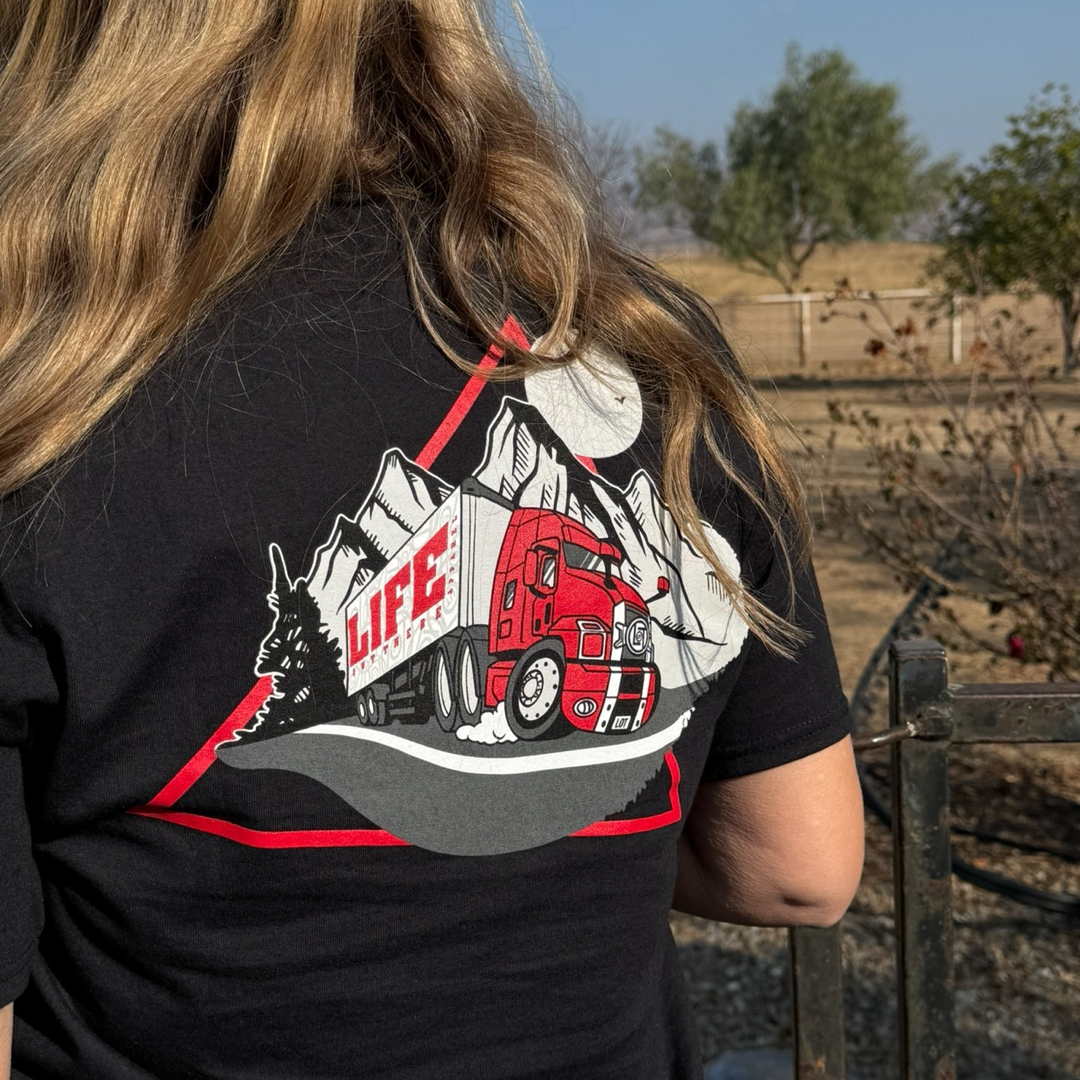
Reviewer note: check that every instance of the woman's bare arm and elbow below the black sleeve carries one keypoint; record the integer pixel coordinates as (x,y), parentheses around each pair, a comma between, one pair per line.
(784,847)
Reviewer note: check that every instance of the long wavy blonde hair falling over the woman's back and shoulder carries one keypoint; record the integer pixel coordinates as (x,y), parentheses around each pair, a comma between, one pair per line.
(154,153)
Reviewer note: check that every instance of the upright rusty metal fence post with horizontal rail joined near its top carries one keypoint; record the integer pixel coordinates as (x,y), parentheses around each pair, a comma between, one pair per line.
(923,862)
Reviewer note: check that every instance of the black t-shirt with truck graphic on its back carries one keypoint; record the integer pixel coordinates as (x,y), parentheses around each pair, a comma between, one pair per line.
(350,708)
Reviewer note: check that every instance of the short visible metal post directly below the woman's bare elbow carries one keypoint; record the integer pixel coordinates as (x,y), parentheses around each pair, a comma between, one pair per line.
(818,1005)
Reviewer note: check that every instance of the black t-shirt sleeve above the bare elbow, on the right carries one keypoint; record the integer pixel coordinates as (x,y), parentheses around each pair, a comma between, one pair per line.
(779,710)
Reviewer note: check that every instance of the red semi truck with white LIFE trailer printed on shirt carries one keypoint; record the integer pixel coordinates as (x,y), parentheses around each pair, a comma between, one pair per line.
(488,604)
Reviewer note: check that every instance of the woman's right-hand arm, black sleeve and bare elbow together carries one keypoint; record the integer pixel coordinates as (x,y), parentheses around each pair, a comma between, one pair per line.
(775,835)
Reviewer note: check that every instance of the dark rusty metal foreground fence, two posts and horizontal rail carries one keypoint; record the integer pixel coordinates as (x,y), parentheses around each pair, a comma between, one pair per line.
(927,717)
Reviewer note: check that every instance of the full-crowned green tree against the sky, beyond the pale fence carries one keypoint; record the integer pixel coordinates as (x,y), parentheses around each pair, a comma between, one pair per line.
(828,158)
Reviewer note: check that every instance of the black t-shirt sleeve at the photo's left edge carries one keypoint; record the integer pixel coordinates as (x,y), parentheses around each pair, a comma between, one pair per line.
(26,684)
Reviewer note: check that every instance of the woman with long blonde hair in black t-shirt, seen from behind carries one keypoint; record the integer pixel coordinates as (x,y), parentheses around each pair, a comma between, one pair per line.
(381,652)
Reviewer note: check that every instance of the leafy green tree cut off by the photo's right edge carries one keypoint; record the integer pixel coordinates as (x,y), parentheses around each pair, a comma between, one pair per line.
(1015,220)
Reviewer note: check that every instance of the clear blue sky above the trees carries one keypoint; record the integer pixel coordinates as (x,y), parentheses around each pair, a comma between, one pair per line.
(962,66)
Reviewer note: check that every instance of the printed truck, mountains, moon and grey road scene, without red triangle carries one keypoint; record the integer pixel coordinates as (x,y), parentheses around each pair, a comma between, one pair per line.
(492,667)
